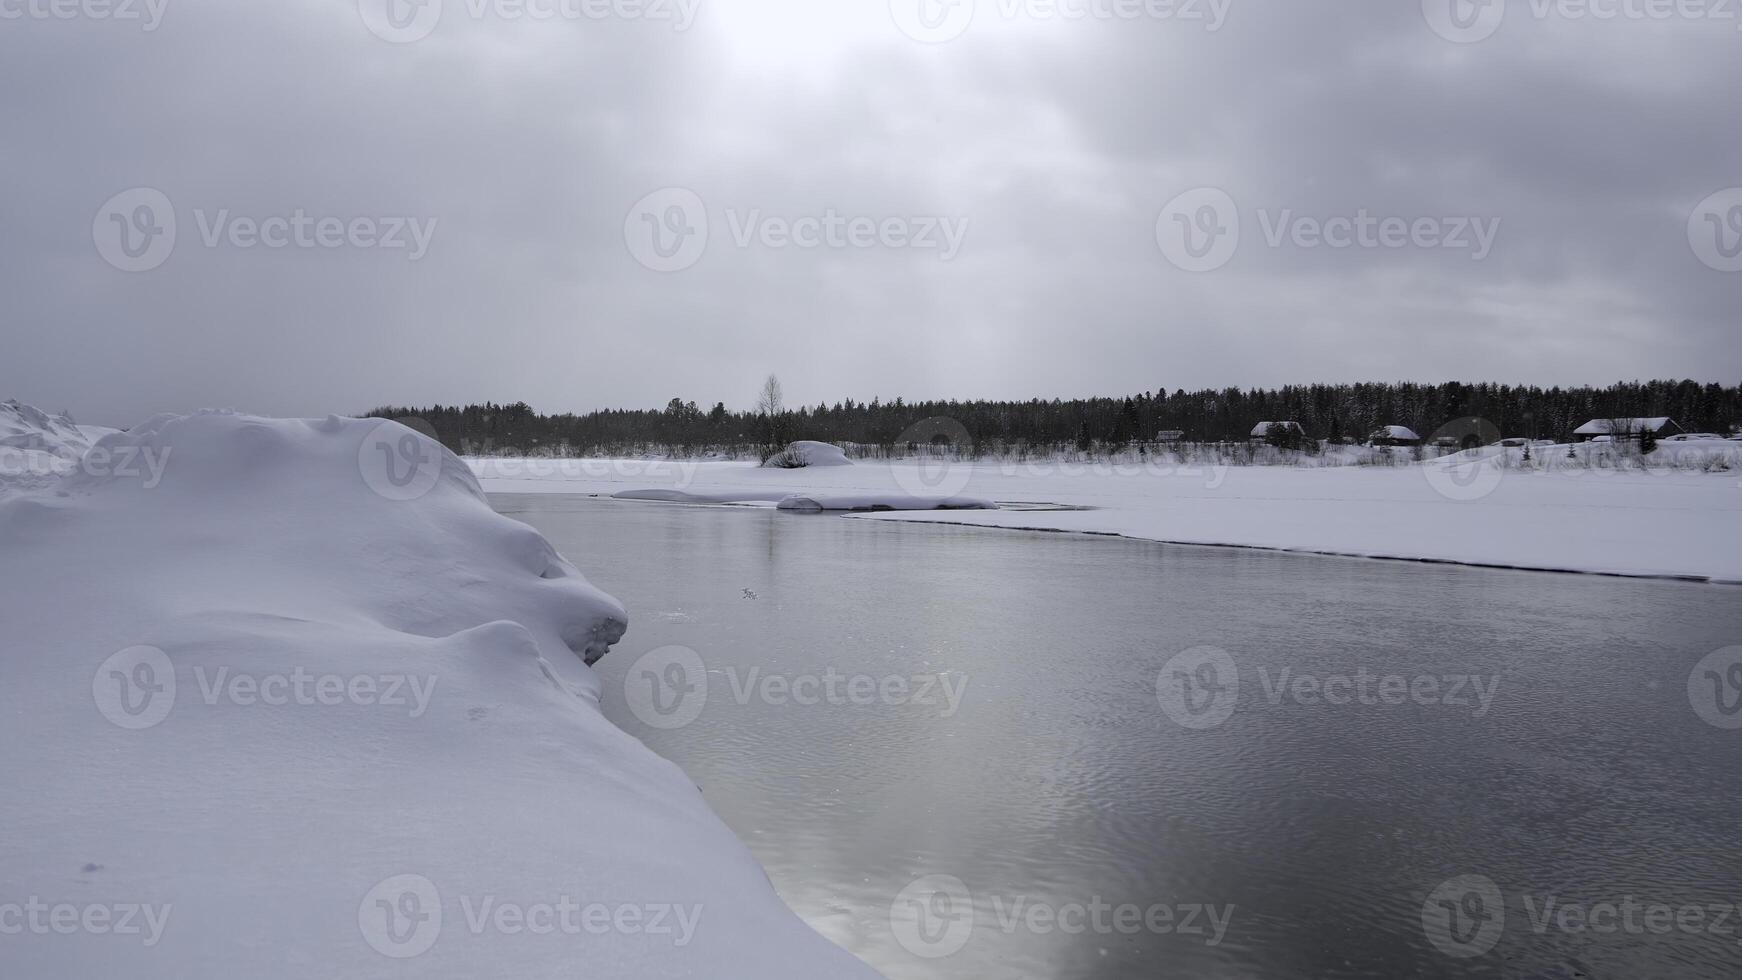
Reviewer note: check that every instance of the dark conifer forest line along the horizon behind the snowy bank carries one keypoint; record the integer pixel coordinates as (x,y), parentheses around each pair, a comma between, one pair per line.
(1337,413)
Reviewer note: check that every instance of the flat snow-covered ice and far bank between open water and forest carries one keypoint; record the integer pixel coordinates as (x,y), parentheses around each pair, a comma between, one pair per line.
(1598,513)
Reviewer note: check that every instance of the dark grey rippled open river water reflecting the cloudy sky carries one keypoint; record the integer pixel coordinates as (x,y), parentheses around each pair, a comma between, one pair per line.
(1060,782)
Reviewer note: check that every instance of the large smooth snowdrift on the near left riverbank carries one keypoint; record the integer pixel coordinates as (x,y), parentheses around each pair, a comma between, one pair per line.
(307,708)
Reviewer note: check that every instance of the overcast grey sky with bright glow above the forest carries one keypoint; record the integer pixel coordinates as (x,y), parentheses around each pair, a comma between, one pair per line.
(621,203)
